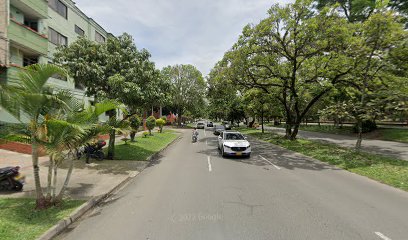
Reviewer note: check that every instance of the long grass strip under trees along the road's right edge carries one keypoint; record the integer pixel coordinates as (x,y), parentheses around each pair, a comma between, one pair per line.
(384,169)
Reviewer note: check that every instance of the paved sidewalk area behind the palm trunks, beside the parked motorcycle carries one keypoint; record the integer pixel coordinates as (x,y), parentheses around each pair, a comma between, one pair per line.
(87,181)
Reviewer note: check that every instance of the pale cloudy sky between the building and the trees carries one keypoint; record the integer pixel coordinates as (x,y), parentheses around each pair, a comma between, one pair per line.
(196,32)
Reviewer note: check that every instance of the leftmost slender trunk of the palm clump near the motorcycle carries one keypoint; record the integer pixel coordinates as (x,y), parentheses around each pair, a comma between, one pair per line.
(40,201)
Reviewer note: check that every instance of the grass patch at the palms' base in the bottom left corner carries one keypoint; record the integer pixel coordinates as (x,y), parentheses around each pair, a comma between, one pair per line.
(19,220)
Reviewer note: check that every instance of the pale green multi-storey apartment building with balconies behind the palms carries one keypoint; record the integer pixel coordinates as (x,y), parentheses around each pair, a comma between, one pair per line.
(30,32)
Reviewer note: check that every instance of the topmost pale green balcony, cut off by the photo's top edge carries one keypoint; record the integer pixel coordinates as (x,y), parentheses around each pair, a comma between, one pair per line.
(32,8)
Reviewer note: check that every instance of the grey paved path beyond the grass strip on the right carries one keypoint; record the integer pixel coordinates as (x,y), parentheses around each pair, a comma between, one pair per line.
(393,149)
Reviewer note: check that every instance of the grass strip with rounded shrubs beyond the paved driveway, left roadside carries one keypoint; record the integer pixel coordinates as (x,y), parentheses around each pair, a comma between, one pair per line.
(144,146)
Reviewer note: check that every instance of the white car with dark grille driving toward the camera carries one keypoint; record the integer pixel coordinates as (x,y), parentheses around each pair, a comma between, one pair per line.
(233,144)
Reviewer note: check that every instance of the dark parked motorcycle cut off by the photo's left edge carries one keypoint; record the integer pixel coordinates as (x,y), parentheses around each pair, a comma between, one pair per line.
(11,179)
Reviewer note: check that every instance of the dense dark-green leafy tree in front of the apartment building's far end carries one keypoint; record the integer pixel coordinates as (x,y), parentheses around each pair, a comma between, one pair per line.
(112,70)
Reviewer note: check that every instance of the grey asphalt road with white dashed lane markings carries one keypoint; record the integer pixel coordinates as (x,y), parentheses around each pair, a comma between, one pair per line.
(193,193)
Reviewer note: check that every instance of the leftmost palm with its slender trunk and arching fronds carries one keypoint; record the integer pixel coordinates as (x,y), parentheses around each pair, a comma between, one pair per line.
(28,97)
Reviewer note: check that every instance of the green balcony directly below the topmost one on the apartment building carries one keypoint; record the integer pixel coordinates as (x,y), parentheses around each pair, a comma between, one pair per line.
(26,38)
